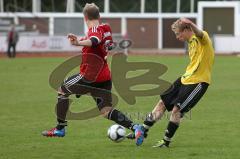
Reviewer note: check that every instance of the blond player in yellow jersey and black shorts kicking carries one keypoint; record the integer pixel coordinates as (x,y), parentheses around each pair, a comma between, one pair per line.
(187,90)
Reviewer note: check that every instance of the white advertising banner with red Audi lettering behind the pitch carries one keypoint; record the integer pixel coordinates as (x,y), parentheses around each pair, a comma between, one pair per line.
(40,44)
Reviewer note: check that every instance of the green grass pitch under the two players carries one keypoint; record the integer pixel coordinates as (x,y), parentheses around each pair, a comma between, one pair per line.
(27,107)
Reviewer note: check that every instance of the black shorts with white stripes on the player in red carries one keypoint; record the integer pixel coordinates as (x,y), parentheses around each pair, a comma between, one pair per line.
(100,91)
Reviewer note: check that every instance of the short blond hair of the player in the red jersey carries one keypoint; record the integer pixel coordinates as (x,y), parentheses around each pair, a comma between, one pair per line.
(91,11)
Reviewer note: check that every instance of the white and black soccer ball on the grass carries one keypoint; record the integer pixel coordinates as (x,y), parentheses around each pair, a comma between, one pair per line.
(116,133)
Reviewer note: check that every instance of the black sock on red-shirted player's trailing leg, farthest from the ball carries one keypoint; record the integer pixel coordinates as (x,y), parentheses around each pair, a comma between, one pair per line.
(62,108)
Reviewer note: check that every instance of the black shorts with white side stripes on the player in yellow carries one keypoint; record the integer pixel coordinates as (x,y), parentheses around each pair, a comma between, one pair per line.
(183,96)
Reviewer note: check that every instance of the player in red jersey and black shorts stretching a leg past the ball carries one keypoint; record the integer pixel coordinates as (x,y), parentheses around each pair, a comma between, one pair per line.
(94,76)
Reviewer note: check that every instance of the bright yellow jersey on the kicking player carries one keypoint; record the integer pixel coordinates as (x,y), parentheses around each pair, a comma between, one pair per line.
(201,54)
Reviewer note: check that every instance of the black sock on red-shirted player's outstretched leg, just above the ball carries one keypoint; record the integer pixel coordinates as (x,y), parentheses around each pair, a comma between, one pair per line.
(120,118)
